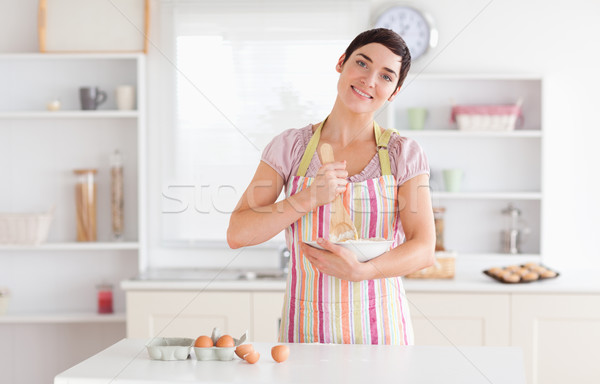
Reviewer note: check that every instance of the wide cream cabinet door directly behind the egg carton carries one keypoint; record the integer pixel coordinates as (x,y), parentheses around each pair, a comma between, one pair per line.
(187,313)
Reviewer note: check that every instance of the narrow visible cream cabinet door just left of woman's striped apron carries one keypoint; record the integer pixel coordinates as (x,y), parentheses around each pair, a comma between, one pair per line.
(267,316)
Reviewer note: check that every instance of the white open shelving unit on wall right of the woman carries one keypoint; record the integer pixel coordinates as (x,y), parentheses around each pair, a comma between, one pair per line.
(499,167)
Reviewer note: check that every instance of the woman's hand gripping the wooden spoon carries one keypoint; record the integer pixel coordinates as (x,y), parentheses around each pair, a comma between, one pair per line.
(329,182)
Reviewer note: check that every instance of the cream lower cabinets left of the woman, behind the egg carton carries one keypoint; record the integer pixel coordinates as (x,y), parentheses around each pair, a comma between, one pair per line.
(193,313)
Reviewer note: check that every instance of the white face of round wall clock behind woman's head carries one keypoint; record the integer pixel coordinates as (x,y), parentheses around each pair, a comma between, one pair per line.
(411,25)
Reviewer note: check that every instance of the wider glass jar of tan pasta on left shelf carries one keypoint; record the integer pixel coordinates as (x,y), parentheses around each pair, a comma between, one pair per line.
(85,204)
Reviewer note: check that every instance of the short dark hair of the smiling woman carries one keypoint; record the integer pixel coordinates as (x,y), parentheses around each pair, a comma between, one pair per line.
(388,38)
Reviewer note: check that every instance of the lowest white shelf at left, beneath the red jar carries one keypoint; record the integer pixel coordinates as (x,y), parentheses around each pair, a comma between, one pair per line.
(67,317)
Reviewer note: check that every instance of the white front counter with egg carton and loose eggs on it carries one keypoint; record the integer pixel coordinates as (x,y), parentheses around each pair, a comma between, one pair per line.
(127,362)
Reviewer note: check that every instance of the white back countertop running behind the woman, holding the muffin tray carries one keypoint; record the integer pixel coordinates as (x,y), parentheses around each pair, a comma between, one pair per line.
(466,280)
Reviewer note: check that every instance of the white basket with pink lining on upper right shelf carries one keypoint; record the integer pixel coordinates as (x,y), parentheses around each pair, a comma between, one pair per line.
(486,117)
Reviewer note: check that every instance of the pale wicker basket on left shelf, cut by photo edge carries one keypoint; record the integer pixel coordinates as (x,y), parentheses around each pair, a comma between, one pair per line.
(25,228)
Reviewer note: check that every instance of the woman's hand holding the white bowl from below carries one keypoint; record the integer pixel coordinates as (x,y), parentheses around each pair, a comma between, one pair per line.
(335,260)
